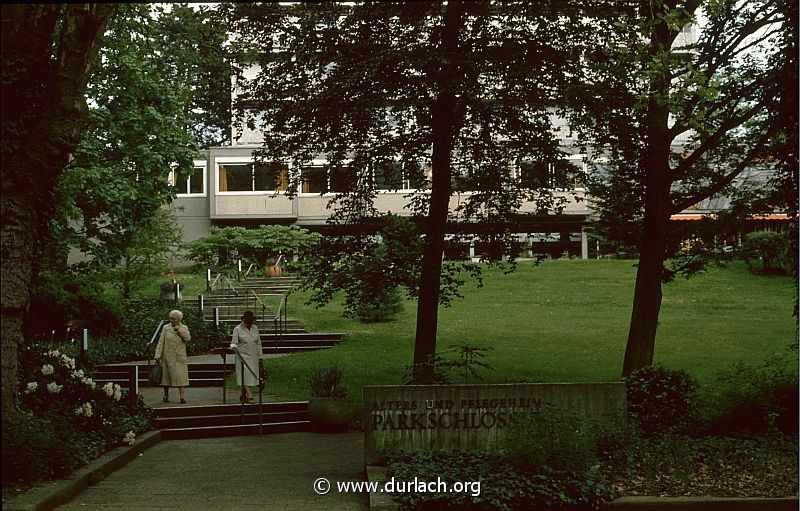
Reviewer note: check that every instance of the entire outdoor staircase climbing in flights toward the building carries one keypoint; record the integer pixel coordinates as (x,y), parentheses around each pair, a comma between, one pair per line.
(279,334)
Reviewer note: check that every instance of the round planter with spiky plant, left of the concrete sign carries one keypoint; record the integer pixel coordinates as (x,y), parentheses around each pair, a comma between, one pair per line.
(330,408)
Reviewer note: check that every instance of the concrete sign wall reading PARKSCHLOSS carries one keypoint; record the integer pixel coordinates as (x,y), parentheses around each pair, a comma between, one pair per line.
(415,417)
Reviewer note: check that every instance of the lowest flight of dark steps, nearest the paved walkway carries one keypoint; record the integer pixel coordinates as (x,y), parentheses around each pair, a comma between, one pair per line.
(189,422)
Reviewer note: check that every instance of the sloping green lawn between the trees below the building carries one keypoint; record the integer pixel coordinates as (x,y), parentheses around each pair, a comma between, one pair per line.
(561,321)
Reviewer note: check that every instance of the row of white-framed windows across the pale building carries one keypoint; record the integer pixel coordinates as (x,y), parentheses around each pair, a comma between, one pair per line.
(253,177)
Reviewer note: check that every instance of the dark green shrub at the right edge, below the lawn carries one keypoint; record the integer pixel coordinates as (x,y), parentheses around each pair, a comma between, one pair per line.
(755,399)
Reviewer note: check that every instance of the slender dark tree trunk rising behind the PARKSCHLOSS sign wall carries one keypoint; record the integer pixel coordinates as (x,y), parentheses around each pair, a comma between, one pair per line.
(443,120)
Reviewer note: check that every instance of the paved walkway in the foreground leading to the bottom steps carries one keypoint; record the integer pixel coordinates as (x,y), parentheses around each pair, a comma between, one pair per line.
(270,472)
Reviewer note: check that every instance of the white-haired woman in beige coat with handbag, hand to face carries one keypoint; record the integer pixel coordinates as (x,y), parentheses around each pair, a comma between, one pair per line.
(172,348)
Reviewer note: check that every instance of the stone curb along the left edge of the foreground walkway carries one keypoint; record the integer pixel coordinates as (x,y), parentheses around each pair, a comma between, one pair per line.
(53,494)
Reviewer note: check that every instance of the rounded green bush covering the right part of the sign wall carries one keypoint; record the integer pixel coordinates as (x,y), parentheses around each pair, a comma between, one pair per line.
(550,438)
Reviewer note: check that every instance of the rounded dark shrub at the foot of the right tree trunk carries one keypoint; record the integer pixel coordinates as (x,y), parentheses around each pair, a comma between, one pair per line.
(661,400)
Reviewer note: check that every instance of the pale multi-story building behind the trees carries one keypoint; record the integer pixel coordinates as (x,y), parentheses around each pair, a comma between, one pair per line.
(227,188)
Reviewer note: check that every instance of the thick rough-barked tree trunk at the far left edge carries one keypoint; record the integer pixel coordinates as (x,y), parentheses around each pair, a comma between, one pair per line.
(43,114)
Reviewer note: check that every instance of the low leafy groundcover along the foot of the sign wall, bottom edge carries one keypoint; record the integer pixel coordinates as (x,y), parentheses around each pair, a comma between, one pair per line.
(502,485)
